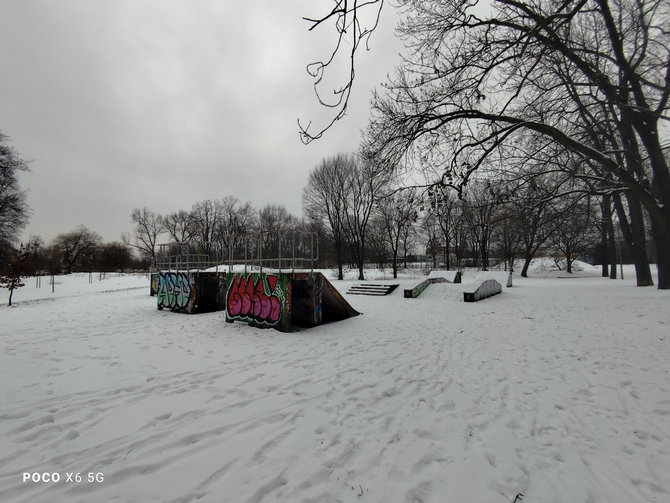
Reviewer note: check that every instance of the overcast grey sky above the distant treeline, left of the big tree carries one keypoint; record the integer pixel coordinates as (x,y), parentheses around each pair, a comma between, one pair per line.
(163,103)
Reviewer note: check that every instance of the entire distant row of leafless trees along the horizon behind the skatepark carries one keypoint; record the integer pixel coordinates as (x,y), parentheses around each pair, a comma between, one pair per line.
(364,215)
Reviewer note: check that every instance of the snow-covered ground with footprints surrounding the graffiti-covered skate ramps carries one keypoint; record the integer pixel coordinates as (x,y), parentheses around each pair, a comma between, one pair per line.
(557,389)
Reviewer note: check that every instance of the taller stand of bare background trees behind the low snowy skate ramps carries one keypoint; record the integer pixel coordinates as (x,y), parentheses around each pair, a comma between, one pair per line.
(371,217)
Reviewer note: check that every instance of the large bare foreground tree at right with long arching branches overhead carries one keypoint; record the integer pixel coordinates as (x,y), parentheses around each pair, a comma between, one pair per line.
(474,83)
